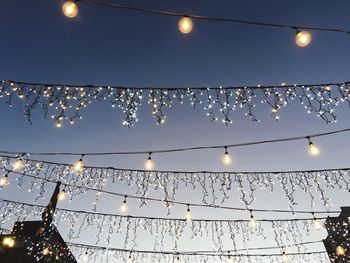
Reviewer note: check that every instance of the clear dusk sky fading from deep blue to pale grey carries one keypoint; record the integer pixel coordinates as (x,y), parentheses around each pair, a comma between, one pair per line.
(103,46)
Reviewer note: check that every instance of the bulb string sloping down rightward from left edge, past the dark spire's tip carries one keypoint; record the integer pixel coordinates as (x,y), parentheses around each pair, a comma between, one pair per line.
(4,181)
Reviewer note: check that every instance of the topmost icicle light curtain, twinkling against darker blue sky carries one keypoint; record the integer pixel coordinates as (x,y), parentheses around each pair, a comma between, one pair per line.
(66,102)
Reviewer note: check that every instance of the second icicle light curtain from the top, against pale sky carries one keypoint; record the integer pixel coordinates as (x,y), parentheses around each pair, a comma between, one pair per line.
(215,186)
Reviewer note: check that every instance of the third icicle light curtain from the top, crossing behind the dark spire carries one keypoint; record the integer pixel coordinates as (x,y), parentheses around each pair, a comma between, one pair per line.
(76,222)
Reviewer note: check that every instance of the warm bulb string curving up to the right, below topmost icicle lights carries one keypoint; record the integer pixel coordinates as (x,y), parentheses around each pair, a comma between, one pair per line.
(149,164)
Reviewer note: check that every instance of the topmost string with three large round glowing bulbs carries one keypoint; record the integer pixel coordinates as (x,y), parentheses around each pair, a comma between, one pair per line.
(303,37)
